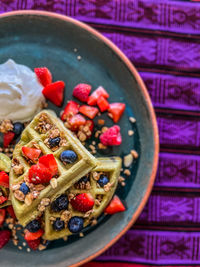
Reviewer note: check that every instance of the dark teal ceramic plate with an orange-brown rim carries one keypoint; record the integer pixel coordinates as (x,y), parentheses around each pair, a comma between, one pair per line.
(46,39)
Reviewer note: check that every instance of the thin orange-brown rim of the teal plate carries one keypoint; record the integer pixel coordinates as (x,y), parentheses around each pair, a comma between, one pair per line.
(148,103)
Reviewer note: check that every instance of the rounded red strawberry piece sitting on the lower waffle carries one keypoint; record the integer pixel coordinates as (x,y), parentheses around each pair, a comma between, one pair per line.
(83,202)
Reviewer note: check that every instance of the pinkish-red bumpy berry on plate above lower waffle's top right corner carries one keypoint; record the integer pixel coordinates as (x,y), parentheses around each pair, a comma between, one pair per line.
(111,137)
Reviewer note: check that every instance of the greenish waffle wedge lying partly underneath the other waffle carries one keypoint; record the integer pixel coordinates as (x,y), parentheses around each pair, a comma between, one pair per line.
(109,166)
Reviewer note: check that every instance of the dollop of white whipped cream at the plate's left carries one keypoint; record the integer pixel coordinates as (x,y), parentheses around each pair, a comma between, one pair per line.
(20,92)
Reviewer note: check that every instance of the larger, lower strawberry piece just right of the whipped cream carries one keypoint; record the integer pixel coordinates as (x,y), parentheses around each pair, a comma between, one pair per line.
(55,92)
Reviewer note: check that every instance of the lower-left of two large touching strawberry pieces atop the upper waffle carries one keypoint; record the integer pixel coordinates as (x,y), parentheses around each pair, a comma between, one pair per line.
(39,174)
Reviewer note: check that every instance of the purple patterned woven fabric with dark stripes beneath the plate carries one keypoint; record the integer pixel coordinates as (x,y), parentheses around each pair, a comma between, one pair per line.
(162,39)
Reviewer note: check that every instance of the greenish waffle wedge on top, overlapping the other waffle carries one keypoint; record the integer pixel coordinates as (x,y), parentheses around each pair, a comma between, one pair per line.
(37,134)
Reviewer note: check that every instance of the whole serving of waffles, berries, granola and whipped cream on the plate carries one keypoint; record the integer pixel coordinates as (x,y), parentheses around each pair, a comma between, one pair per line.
(50,183)
